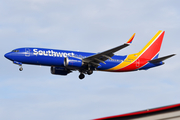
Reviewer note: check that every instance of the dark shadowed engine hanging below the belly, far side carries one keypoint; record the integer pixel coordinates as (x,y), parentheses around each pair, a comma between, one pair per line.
(59,71)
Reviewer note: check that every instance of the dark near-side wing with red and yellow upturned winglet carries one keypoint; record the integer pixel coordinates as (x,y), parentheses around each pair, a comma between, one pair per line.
(103,56)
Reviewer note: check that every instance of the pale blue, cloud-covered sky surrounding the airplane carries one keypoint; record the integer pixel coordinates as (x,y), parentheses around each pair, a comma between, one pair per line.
(92,26)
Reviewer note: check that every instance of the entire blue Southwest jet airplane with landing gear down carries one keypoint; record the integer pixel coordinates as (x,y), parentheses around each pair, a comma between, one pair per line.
(63,62)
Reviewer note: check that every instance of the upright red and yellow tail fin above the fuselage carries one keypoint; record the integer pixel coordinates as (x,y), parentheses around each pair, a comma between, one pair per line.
(152,48)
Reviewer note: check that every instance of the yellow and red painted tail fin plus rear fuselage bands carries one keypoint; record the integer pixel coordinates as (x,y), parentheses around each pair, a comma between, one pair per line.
(140,59)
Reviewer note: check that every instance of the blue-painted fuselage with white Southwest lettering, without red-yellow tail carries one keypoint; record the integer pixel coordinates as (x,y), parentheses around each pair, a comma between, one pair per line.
(53,57)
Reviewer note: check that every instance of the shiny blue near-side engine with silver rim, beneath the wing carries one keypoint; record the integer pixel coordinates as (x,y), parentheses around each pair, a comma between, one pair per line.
(72,62)
